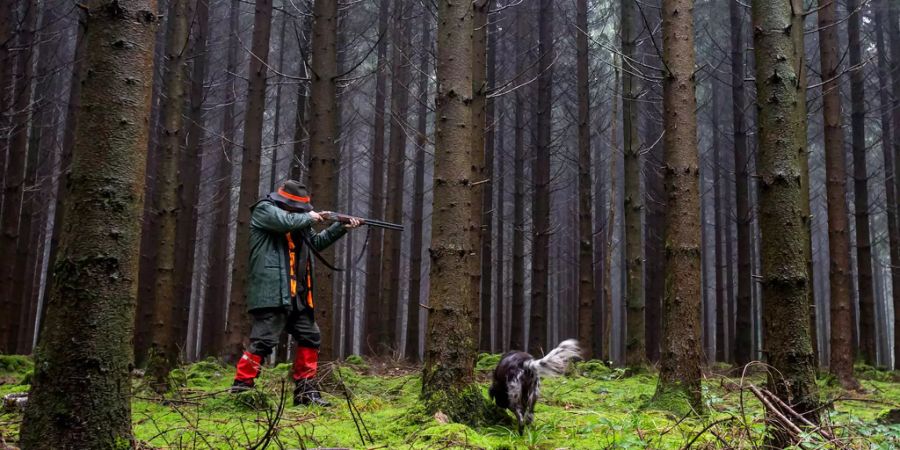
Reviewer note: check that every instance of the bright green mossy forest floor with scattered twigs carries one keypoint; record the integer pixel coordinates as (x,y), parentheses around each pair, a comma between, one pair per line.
(594,407)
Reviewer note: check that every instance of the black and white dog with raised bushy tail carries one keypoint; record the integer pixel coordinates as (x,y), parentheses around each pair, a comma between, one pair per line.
(517,378)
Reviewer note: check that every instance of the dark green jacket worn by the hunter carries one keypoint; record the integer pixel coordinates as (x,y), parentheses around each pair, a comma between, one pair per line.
(269,279)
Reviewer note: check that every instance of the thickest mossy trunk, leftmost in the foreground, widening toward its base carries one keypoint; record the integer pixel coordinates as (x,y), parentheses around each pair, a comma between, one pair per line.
(81,389)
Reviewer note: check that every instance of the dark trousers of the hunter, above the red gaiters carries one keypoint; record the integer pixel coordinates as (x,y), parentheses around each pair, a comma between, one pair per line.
(268,324)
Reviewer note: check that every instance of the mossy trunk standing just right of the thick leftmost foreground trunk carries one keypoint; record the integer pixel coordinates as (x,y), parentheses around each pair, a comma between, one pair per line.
(163,349)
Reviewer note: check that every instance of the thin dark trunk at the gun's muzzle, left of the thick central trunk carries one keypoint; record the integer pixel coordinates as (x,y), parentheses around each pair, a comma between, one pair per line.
(415,263)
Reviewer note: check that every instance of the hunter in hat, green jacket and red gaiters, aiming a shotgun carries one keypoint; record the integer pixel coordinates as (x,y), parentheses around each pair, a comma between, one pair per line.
(281,284)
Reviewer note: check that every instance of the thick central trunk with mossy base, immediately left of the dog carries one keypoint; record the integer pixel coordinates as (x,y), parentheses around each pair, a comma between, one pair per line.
(448,377)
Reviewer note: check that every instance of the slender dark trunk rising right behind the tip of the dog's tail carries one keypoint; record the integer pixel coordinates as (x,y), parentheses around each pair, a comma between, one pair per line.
(586,292)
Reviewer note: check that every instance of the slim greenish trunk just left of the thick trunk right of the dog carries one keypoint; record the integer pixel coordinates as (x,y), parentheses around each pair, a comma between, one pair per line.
(635,346)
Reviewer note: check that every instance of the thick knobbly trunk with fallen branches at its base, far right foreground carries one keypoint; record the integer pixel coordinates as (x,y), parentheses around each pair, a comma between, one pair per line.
(782,145)
